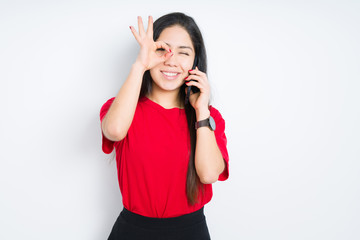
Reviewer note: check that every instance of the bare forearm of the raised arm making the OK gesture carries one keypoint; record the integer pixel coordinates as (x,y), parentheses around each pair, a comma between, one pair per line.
(120,115)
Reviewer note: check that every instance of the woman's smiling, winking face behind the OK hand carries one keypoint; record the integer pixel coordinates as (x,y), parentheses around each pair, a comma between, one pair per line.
(170,75)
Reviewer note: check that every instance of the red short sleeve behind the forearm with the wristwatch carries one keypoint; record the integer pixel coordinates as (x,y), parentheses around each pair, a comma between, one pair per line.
(221,140)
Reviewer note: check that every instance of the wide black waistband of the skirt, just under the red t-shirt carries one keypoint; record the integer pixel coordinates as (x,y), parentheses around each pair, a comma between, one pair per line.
(174,222)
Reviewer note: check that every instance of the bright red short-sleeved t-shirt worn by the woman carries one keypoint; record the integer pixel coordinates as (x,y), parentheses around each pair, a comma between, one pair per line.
(152,160)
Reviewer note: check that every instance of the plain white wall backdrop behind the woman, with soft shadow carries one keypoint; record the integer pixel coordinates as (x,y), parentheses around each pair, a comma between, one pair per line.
(284,75)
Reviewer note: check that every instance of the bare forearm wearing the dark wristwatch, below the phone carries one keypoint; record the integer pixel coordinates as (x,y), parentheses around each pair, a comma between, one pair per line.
(209,162)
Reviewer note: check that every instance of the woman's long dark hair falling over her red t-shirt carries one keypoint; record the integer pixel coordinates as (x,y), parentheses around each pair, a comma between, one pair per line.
(193,184)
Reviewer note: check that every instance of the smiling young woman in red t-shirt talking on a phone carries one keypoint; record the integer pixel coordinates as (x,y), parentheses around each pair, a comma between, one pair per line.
(170,143)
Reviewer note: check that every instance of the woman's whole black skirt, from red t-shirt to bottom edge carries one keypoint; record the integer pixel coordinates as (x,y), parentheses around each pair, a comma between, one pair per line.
(132,226)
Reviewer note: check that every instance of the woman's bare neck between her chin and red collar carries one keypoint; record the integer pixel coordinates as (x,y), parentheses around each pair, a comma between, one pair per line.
(167,99)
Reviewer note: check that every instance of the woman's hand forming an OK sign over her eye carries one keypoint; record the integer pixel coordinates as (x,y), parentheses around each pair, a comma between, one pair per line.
(148,55)
